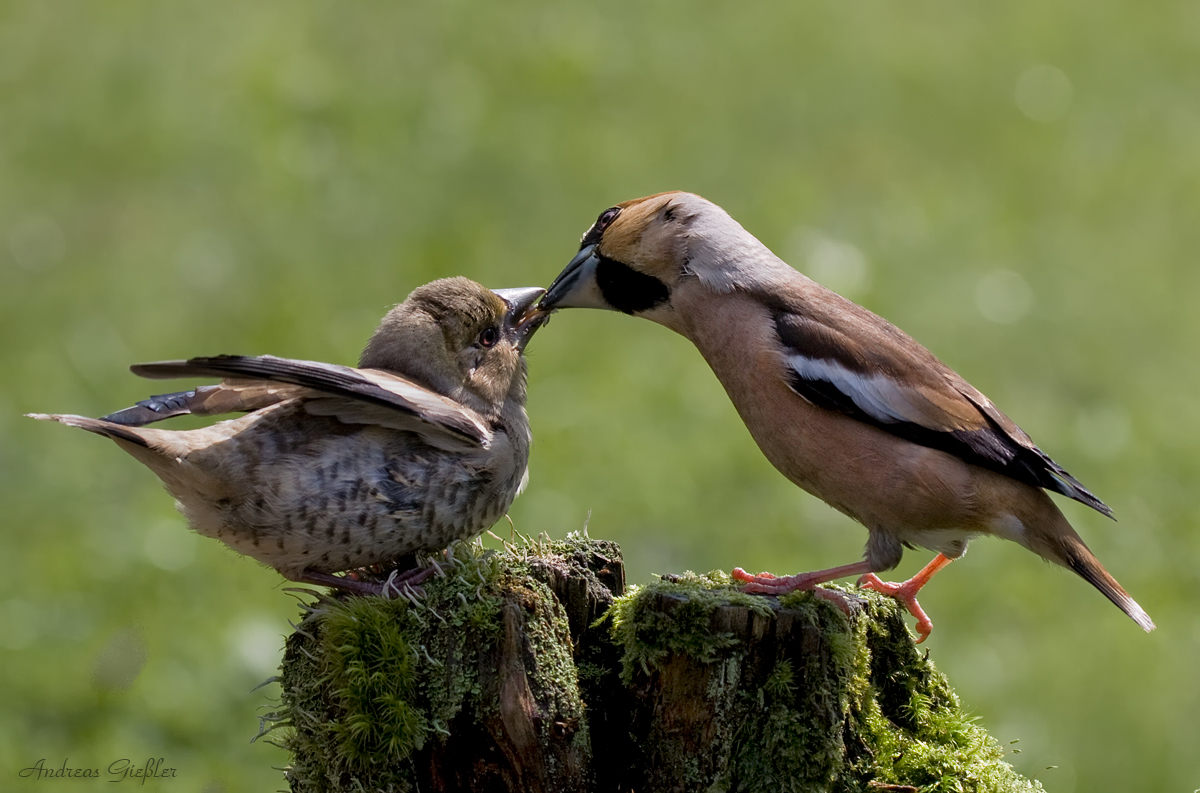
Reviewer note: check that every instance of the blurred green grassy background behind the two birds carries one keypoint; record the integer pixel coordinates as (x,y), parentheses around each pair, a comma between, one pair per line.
(1017,185)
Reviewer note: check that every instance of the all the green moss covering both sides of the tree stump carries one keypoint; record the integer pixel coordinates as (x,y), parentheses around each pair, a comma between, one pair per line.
(369,682)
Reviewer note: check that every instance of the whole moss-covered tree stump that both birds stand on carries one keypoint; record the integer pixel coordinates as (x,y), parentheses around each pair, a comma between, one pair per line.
(533,670)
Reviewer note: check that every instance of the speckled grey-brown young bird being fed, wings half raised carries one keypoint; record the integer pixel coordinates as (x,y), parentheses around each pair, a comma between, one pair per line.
(335,468)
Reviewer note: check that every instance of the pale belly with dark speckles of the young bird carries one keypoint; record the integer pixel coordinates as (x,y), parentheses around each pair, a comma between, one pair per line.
(346,498)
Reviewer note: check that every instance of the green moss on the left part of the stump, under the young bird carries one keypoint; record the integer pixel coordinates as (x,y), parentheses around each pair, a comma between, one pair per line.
(369,681)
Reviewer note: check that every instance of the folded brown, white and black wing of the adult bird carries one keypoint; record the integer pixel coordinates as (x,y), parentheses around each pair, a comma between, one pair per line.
(843,358)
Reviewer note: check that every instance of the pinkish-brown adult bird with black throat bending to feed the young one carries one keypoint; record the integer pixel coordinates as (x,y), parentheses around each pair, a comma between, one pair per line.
(842,402)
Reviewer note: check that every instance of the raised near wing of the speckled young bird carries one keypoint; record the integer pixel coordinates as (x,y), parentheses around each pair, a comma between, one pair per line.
(352,395)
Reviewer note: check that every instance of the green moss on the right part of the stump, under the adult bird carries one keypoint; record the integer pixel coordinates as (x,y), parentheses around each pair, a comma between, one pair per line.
(862,705)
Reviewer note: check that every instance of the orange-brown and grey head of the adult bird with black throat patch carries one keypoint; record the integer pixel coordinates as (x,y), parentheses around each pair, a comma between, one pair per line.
(638,255)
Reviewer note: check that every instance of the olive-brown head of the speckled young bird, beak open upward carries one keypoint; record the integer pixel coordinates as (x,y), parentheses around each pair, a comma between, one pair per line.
(461,340)
